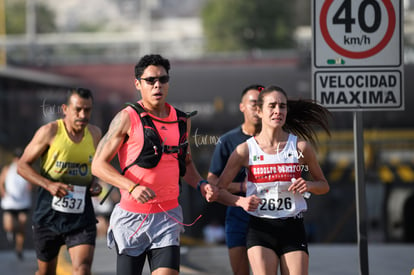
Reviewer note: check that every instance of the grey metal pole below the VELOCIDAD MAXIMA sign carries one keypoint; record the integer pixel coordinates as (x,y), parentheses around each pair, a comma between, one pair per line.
(360,193)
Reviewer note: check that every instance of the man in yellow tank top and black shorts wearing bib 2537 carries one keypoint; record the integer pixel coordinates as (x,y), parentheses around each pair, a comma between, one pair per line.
(63,213)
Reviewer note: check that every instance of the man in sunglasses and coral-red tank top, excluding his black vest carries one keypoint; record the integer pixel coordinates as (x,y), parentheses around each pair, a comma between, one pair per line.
(148,220)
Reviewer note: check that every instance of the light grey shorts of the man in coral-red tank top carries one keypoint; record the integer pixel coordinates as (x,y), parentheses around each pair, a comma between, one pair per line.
(133,236)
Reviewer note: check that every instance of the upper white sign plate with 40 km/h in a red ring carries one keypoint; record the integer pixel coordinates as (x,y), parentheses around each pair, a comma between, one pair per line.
(353,33)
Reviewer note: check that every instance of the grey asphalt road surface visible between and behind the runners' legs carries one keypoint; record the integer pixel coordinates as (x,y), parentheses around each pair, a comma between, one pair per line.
(338,259)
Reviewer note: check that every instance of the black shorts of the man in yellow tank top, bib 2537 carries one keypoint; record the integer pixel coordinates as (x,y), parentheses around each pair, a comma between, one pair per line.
(47,242)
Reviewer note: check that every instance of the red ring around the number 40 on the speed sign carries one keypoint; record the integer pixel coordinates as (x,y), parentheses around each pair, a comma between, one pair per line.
(334,46)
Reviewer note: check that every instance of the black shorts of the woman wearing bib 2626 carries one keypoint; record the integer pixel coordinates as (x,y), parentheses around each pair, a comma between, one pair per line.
(280,235)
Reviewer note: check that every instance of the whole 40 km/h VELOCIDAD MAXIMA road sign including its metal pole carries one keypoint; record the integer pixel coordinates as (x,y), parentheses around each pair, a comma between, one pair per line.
(357,65)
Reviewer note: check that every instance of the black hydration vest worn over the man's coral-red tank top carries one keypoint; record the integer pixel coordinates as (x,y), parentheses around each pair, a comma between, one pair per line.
(153,146)
